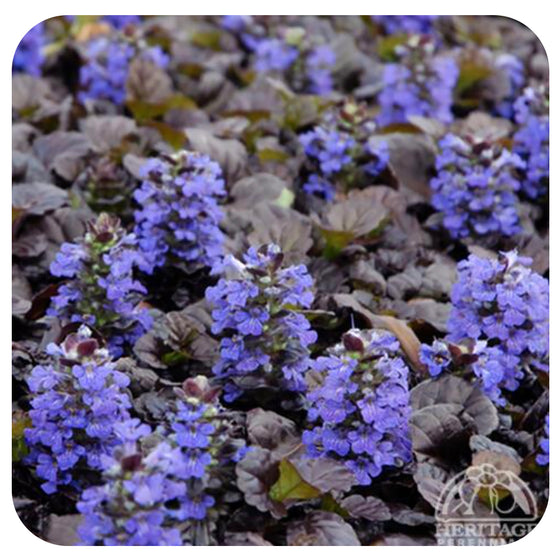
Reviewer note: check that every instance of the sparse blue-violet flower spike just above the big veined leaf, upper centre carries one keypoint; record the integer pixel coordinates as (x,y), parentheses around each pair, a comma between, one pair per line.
(342,152)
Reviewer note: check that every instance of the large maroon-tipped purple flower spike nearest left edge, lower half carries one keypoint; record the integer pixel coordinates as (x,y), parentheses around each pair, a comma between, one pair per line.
(77,398)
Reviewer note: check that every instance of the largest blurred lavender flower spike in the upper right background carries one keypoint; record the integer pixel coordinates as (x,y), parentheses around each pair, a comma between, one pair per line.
(419,83)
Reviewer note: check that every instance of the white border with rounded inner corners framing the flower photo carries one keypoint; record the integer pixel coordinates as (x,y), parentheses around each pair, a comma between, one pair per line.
(538,15)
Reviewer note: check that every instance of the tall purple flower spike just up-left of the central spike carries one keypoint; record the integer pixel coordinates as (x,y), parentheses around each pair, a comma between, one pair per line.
(179,216)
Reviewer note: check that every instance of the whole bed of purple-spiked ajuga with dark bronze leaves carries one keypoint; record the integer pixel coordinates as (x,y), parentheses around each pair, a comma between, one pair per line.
(279,280)
